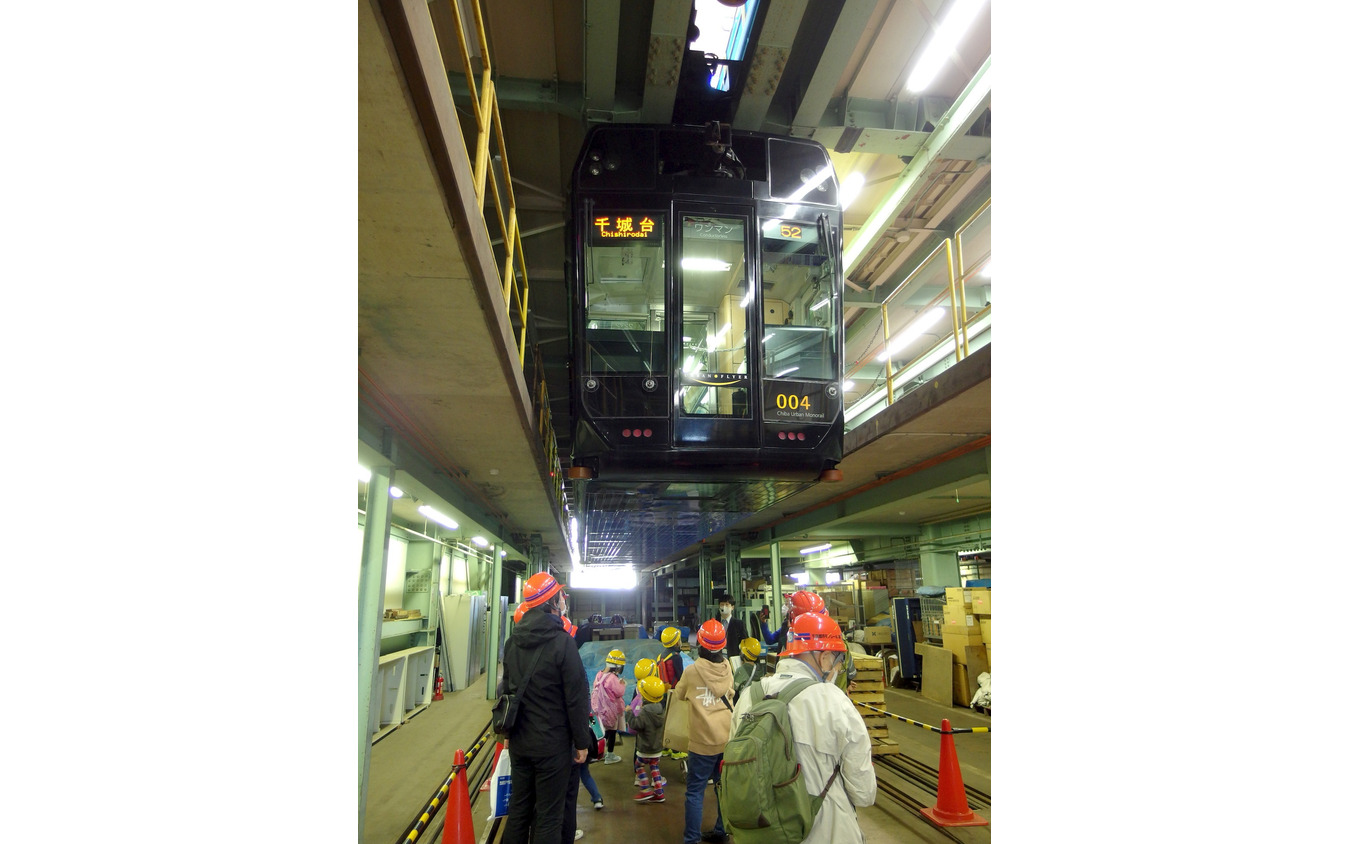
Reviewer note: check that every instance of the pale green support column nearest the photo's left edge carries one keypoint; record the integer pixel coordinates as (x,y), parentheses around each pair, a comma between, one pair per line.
(371,610)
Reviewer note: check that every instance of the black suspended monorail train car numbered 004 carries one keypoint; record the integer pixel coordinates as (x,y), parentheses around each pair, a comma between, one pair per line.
(707,322)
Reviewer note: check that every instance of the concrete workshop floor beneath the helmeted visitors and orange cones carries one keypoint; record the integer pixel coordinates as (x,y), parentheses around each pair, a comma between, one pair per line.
(408,766)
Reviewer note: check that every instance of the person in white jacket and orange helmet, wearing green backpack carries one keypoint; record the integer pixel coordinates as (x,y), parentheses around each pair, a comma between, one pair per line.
(827,729)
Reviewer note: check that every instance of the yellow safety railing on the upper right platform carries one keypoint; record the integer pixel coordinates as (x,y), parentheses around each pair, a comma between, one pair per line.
(954,296)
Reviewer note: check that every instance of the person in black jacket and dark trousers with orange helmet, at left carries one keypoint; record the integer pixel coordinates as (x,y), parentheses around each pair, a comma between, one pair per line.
(553,730)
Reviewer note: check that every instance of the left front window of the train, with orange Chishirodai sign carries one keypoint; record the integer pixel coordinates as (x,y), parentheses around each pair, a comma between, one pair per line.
(626,292)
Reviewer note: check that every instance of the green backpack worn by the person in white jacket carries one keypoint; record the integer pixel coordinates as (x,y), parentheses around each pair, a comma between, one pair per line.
(763,799)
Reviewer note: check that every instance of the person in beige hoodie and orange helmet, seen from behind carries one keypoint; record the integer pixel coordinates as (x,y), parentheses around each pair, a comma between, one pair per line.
(707,687)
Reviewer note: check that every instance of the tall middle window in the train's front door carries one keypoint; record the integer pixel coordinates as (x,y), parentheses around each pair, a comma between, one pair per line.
(718,298)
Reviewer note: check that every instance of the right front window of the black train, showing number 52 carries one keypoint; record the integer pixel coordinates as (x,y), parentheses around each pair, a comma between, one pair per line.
(801,303)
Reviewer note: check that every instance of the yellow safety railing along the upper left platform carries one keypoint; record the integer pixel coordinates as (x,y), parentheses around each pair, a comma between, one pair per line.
(488,117)
